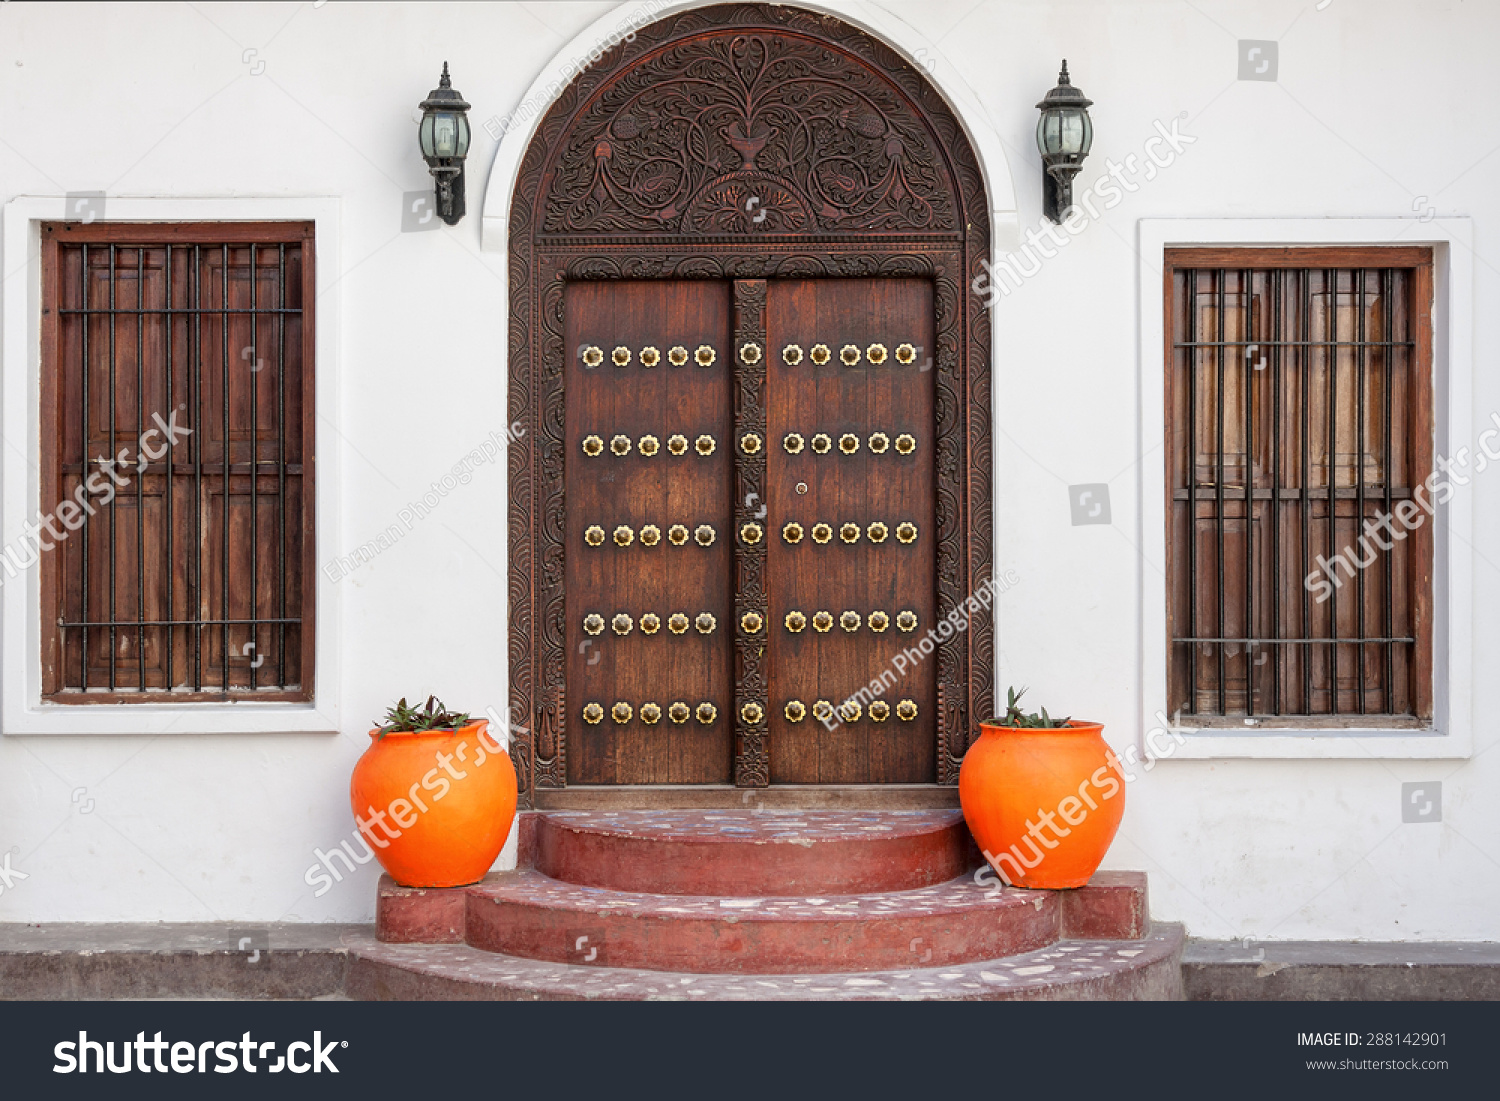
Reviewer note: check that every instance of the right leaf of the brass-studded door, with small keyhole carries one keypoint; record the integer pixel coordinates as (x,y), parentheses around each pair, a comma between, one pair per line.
(859,488)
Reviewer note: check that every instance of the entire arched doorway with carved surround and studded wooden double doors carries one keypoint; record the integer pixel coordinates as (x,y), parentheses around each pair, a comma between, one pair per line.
(749,181)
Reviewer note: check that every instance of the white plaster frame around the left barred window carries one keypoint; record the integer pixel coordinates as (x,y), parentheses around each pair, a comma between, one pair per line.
(22,707)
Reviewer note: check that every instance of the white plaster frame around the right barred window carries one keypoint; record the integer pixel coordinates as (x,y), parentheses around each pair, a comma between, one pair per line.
(1451,731)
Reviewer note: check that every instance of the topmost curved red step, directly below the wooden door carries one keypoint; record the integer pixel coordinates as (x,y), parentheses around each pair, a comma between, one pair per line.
(745,854)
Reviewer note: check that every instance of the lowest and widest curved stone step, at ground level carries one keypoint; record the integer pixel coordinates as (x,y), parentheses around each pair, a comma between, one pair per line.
(1147,970)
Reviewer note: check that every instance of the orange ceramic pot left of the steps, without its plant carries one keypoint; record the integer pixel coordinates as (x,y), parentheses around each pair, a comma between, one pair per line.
(436,806)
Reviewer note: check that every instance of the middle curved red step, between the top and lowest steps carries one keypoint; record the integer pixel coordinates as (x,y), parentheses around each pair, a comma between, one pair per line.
(536,917)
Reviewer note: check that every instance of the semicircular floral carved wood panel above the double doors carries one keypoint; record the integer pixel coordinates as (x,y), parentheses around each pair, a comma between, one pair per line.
(751,134)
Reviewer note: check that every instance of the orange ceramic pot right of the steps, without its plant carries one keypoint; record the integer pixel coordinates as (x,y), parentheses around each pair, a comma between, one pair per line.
(1042,803)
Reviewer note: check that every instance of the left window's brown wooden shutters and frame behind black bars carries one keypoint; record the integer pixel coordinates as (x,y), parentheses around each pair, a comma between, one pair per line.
(206,335)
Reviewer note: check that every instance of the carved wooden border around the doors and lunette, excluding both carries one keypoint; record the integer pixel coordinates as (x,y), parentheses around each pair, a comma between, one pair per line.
(539,269)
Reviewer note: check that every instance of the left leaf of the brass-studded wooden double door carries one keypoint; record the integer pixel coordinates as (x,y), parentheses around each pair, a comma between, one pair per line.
(634,491)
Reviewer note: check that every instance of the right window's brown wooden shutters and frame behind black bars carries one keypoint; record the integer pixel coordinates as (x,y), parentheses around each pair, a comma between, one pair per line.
(1292,419)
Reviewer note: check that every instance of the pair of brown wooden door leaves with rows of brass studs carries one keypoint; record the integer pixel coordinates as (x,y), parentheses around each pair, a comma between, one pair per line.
(749,532)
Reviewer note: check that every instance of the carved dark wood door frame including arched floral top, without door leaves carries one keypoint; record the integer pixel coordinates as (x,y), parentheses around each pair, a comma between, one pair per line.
(632,175)
